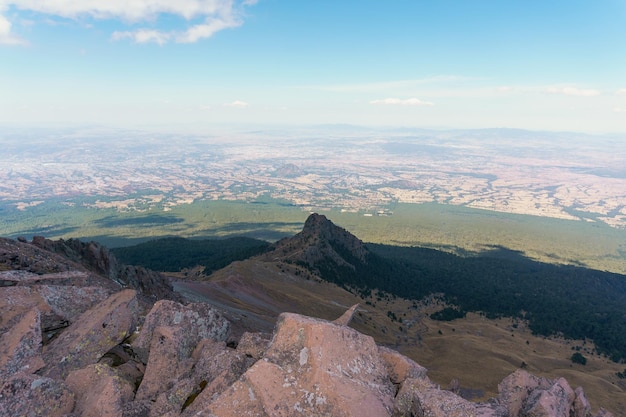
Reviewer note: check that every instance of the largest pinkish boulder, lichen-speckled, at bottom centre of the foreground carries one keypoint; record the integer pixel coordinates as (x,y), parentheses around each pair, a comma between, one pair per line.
(312,367)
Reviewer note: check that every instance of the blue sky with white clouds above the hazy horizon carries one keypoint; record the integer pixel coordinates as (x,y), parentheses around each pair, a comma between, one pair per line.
(531,64)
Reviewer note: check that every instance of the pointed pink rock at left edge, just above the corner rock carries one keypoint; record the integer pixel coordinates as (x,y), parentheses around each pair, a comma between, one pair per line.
(20,347)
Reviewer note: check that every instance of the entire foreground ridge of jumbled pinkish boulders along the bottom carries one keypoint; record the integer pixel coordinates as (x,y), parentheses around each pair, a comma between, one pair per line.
(77,343)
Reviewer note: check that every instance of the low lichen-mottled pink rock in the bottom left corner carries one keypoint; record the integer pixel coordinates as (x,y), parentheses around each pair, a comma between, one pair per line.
(34,396)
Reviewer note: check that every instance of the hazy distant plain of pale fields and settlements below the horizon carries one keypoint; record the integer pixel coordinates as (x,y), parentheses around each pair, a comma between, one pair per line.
(558,175)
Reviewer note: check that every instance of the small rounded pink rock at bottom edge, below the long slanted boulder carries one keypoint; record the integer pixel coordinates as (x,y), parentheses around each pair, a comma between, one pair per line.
(99,390)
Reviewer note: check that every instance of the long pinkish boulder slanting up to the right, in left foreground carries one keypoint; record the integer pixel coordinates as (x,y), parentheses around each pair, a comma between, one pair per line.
(93,334)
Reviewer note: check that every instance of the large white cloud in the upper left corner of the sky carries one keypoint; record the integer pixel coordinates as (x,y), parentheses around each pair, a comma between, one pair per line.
(214,15)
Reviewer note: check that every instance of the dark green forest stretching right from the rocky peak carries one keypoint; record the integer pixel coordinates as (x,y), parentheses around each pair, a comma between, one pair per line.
(575,302)
